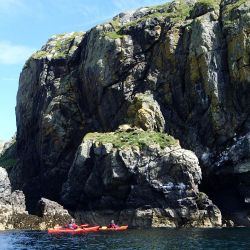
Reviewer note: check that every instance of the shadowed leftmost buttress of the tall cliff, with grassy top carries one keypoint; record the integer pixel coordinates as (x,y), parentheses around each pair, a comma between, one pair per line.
(48,116)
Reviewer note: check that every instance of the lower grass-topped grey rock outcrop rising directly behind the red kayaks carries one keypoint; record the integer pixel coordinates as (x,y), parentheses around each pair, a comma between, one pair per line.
(145,178)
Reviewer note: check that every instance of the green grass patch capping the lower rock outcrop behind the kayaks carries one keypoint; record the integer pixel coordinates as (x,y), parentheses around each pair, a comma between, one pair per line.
(134,138)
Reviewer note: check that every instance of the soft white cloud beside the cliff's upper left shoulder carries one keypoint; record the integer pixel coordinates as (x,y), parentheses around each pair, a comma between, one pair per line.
(14,54)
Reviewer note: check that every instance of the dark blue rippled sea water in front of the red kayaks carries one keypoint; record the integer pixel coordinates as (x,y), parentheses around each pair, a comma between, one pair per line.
(236,238)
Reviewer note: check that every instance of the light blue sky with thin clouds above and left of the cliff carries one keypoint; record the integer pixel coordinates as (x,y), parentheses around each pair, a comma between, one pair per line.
(26,25)
